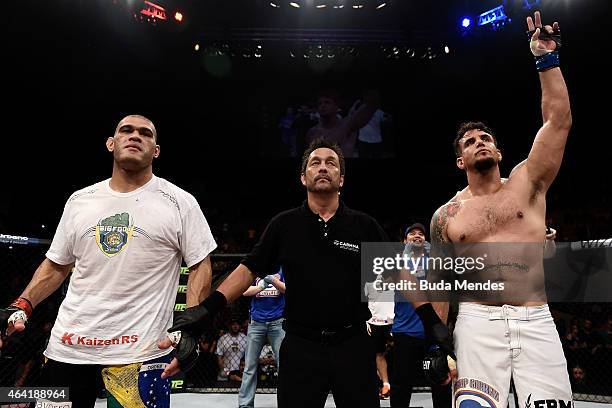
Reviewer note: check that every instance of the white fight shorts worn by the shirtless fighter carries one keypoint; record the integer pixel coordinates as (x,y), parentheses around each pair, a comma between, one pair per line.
(495,343)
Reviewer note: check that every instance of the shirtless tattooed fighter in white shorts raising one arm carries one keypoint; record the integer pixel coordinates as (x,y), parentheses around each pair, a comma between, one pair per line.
(518,339)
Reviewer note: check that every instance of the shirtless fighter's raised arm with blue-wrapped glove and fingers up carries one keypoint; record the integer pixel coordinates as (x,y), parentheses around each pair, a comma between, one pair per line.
(547,151)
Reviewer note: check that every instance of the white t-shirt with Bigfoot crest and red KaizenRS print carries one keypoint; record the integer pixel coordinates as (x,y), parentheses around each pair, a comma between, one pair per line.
(127,249)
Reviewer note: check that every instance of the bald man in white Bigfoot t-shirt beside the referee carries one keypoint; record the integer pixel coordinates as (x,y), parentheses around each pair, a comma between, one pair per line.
(126,237)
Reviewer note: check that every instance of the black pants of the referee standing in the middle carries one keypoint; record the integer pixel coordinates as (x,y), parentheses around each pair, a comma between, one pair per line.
(310,369)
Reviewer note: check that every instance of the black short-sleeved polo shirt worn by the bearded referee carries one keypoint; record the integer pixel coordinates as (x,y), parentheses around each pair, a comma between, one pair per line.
(321,264)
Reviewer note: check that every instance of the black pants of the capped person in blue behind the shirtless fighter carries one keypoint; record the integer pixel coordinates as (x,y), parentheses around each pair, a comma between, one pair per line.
(408,353)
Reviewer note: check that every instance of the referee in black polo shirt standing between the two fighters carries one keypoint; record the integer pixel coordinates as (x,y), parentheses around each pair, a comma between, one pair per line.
(326,346)
